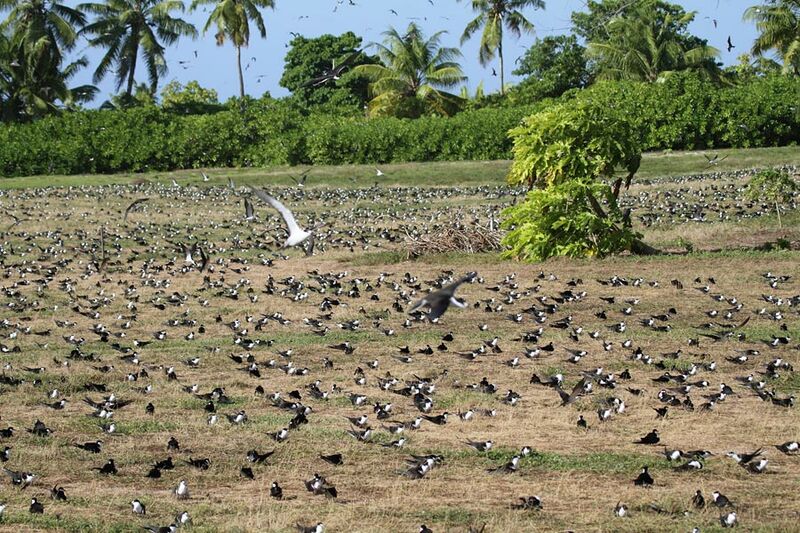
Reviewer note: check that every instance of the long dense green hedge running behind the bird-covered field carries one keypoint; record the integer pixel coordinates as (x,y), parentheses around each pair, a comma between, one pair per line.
(684,112)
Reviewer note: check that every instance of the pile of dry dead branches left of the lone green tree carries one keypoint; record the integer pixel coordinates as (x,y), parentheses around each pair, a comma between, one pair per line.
(463,239)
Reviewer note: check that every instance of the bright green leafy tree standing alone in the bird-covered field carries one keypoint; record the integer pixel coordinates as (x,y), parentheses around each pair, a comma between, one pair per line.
(568,155)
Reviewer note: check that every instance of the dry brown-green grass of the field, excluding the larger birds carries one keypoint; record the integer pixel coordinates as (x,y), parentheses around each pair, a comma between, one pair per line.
(580,475)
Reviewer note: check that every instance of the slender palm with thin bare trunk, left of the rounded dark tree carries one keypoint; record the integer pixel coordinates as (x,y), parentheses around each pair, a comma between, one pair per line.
(232,18)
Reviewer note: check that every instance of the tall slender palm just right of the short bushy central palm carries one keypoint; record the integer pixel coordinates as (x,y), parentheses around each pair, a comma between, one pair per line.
(493,16)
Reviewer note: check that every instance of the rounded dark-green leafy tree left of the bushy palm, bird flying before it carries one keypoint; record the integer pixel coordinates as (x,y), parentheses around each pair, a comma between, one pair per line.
(308,57)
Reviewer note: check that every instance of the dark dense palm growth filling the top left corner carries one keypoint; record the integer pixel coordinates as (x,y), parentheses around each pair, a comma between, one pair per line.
(35,78)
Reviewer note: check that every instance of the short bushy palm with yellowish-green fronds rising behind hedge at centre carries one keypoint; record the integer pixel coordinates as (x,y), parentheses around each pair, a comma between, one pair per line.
(406,83)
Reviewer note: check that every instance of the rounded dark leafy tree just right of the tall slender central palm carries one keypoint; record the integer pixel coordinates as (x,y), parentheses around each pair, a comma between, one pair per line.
(552,66)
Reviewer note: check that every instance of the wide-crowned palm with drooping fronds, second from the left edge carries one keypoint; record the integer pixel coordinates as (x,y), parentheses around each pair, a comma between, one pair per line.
(127,27)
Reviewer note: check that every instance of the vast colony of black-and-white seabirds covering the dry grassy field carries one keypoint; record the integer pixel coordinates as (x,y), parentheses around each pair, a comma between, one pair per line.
(171,360)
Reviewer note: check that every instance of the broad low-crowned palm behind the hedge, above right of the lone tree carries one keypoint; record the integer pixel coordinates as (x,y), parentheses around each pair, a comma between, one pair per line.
(642,47)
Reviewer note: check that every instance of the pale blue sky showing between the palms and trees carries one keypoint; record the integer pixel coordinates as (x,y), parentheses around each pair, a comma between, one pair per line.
(214,67)
